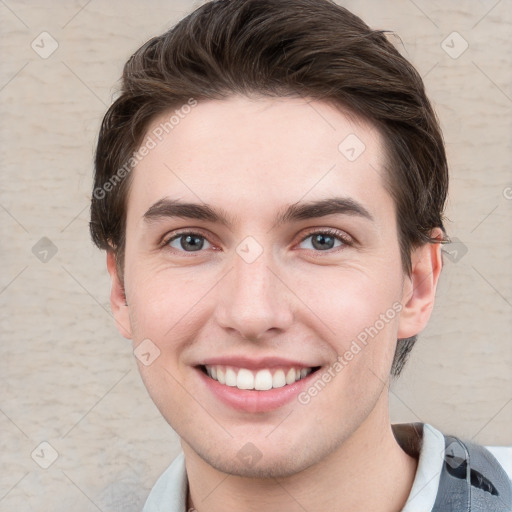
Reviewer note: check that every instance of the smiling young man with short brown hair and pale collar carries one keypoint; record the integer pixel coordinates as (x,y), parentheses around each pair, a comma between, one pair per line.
(269,188)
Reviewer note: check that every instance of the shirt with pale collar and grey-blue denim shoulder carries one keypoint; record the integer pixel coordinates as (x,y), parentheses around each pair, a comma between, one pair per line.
(445,480)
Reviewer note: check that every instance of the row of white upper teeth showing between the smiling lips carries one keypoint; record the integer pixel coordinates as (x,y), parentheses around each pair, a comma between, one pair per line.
(261,380)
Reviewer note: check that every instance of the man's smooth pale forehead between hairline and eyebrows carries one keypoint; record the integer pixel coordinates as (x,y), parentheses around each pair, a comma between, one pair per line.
(251,156)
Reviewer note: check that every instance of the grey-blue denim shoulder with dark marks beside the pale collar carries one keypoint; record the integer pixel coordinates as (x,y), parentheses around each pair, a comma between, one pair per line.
(472,480)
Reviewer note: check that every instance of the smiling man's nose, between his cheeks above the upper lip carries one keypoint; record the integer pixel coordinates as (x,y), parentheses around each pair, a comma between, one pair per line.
(253,300)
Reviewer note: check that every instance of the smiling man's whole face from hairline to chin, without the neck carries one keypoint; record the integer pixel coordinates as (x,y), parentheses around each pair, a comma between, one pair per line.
(263,295)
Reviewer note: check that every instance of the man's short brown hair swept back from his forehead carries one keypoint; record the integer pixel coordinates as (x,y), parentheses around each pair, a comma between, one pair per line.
(313,49)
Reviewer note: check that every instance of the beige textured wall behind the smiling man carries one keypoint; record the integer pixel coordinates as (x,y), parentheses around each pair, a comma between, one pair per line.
(67,376)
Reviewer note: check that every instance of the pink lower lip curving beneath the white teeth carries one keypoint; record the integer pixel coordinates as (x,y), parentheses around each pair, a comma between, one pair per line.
(253,400)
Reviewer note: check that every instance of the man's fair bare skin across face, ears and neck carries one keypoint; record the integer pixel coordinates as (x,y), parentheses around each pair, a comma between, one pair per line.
(251,158)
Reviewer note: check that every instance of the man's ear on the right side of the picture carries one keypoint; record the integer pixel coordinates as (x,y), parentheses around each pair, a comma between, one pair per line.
(420,287)
